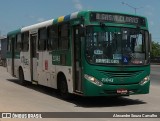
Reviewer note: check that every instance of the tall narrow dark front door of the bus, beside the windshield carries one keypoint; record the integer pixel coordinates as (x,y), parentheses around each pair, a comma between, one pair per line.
(77,60)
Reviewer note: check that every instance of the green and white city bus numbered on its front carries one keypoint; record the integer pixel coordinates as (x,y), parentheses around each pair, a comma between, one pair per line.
(88,53)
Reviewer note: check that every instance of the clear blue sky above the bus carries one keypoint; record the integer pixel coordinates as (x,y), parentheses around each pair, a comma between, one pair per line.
(19,13)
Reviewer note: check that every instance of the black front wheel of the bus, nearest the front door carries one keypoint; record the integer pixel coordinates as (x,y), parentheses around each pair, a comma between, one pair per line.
(62,85)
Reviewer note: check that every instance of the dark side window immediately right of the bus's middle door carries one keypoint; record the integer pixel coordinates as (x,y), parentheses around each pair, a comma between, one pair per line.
(42,39)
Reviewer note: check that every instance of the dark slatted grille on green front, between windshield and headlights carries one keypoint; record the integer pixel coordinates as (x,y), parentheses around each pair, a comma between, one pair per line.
(112,74)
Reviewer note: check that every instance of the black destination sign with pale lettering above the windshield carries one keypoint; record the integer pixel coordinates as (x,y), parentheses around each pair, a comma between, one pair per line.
(117,18)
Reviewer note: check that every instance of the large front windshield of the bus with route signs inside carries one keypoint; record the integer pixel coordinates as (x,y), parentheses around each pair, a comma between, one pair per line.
(116,46)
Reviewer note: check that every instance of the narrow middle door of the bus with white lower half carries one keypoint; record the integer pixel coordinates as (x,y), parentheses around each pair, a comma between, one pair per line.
(33,58)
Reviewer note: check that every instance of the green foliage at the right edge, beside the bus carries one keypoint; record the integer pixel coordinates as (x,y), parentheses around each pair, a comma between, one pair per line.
(155,49)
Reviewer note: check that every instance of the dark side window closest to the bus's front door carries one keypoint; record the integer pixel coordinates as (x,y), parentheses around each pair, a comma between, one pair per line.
(64,36)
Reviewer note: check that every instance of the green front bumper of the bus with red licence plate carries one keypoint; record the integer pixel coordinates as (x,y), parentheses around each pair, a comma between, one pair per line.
(91,89)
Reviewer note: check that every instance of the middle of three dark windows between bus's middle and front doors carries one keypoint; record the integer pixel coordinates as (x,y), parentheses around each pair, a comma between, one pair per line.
(52,43)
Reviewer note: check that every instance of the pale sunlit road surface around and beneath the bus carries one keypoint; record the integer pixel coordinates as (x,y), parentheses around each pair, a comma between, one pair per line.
(17,98)
